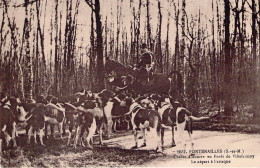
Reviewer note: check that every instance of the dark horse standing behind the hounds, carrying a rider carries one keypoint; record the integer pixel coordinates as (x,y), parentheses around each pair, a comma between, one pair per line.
(126,78)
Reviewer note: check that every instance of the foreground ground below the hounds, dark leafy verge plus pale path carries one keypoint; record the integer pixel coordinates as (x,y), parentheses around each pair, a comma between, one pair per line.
(117,152)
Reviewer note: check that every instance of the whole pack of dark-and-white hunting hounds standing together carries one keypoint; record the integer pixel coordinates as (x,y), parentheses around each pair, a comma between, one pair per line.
(86,114)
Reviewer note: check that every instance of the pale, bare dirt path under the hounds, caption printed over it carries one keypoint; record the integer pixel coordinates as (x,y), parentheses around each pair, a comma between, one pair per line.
(243,149)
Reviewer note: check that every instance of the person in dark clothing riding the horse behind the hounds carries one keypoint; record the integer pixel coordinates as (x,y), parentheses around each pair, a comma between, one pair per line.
(146,64)
